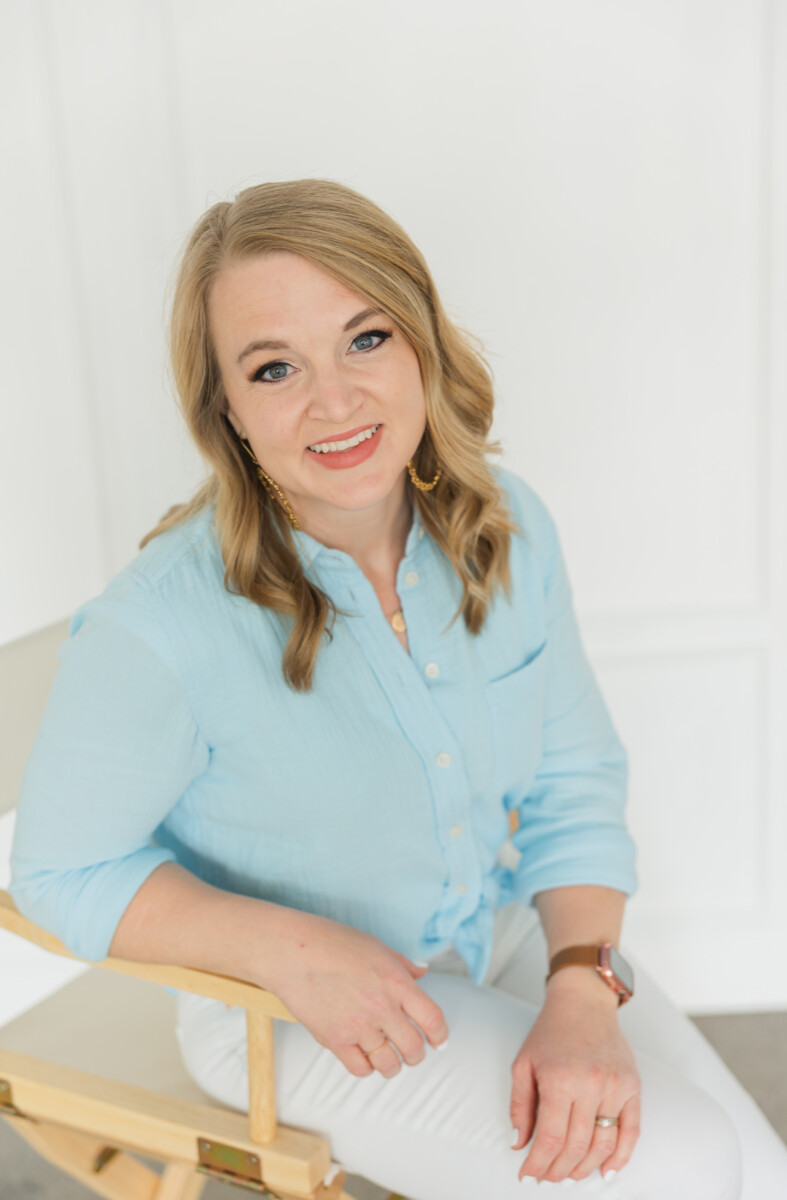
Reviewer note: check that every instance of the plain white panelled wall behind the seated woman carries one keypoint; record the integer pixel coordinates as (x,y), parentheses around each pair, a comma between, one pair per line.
(600,191)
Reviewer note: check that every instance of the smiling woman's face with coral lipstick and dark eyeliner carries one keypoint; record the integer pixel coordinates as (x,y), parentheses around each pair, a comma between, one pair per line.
(304,363)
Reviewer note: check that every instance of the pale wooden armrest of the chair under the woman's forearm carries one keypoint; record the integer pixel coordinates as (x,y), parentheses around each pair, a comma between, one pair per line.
(202,983)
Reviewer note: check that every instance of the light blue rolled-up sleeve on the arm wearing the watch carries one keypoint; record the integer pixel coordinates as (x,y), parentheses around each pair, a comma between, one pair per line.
(573,827)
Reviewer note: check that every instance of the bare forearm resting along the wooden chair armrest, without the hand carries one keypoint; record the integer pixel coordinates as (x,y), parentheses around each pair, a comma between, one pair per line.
(176,919)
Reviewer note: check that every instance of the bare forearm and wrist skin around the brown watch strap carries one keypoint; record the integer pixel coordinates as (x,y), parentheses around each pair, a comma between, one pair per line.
(581,916)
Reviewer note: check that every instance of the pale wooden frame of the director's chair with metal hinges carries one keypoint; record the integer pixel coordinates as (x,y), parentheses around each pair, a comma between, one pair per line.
(91,1126)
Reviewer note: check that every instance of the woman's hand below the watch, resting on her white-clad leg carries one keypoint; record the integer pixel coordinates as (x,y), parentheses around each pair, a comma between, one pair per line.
(574,1066)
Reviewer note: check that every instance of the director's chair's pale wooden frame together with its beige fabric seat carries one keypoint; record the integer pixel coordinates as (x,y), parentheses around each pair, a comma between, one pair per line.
(121,1023)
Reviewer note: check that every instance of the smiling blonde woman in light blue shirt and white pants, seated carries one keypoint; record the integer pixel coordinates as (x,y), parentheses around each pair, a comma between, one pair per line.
(218,784)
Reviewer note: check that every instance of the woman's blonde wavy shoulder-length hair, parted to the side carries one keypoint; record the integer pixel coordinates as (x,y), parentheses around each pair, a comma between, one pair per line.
(352,239)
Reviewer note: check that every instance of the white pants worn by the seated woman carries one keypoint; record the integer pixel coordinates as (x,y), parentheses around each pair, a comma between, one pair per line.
(441,1131)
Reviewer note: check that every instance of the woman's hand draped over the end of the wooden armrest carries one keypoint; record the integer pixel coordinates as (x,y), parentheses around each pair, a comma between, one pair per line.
(351,991)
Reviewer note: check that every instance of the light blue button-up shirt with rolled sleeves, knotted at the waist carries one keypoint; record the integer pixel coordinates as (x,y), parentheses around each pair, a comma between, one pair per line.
(380,800)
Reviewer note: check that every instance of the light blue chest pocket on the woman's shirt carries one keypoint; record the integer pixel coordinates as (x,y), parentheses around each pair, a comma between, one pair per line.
(515,704)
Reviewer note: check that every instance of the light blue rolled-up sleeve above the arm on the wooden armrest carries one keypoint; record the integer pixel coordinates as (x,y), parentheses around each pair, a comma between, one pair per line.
(116,749)
